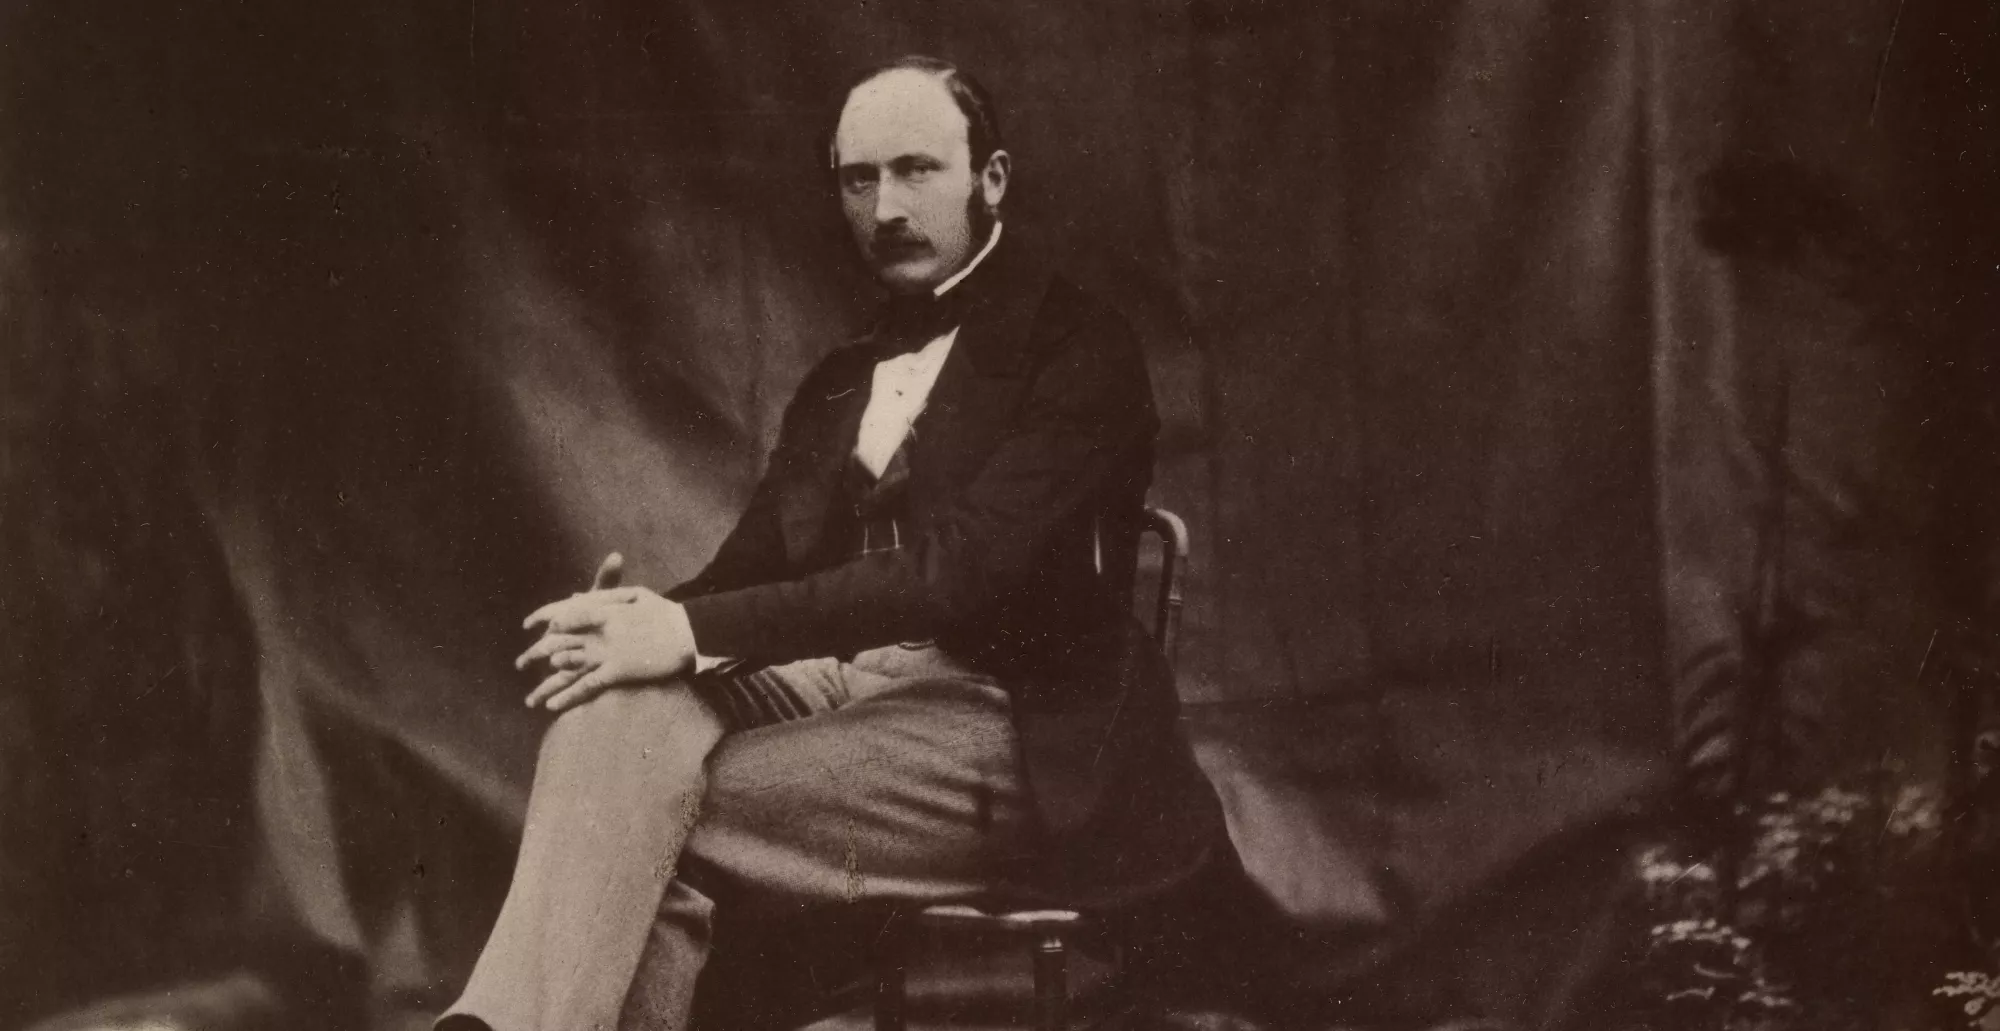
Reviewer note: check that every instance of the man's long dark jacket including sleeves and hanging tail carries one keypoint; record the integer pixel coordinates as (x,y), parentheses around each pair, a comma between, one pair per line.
(1037,435)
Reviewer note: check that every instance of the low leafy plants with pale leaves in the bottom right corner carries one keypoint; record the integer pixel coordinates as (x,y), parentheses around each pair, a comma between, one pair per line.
(1847,910)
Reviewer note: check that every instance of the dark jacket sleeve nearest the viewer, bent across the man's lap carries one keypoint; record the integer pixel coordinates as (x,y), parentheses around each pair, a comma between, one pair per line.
(1087,413)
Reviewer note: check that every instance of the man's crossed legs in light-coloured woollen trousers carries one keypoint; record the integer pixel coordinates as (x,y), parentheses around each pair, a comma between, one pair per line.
(893,780)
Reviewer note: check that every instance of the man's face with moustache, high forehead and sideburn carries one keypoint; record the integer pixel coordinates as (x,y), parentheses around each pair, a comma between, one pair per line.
(907,181)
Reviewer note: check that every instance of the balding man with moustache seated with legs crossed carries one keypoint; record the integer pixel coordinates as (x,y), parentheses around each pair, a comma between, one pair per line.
(903,678)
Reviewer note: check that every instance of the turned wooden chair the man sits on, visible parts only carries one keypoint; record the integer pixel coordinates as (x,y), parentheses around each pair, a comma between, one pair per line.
(1047,934)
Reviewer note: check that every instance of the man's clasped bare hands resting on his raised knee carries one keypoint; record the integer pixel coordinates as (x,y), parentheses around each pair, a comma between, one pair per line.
(605,638)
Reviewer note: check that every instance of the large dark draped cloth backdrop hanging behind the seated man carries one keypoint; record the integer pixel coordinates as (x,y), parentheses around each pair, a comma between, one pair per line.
(1543,381)
